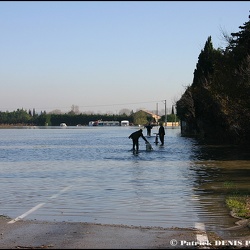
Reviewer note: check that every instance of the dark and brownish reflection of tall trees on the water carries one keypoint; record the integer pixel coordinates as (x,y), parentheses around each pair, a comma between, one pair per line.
(220,170)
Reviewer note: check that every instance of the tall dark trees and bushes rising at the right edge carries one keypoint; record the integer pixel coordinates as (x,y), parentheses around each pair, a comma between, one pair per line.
(217,103)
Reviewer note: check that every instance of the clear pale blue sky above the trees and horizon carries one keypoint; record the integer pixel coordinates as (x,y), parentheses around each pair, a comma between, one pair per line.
(105,56)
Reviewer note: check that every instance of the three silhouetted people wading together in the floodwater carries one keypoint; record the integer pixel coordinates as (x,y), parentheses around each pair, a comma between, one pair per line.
(136,135)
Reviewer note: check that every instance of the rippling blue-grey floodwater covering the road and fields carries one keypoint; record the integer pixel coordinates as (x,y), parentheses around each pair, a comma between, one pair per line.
(90,174)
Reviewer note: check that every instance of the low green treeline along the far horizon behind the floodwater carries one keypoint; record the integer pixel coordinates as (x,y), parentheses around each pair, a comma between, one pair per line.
(24,117)
